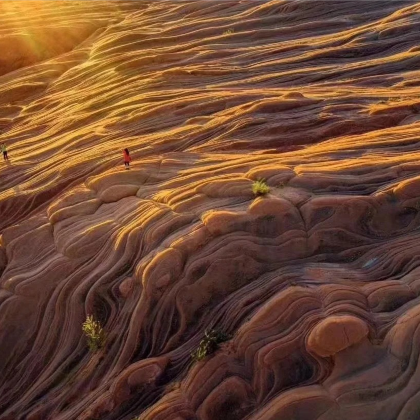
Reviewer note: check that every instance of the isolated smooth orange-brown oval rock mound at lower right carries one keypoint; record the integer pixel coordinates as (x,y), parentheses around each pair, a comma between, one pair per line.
(335,334)
